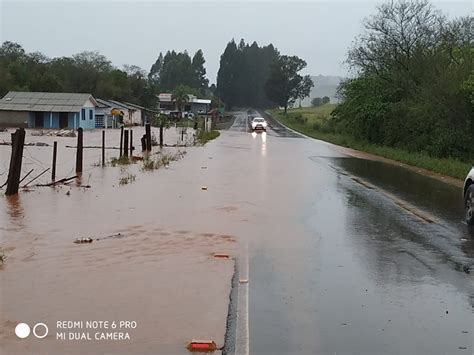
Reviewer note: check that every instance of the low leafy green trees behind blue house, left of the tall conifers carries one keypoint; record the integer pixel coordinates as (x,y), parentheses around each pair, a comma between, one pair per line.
(88,72)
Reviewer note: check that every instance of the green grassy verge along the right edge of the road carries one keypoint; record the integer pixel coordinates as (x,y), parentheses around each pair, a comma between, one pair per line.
(310,120)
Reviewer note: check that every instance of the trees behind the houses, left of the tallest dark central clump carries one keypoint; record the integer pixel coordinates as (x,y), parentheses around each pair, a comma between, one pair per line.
(91,72)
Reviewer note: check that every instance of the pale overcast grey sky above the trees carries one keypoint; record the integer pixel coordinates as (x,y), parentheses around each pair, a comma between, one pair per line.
(134,32)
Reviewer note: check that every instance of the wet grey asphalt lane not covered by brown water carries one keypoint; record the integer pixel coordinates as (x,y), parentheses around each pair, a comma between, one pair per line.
(341,267)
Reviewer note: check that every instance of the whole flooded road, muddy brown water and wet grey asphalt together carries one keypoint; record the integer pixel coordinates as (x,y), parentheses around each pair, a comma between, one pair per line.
(346,255)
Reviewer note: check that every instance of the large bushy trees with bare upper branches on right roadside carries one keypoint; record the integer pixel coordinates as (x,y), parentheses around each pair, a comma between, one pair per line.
(414,82)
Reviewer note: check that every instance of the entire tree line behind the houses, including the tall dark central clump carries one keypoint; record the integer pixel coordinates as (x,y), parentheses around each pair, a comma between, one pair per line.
(249,75)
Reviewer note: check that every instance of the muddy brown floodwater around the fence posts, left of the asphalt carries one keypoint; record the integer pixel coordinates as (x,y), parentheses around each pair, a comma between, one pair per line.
(158,272)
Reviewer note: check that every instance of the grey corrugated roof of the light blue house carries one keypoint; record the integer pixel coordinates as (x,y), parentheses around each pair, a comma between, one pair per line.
(44,101)
